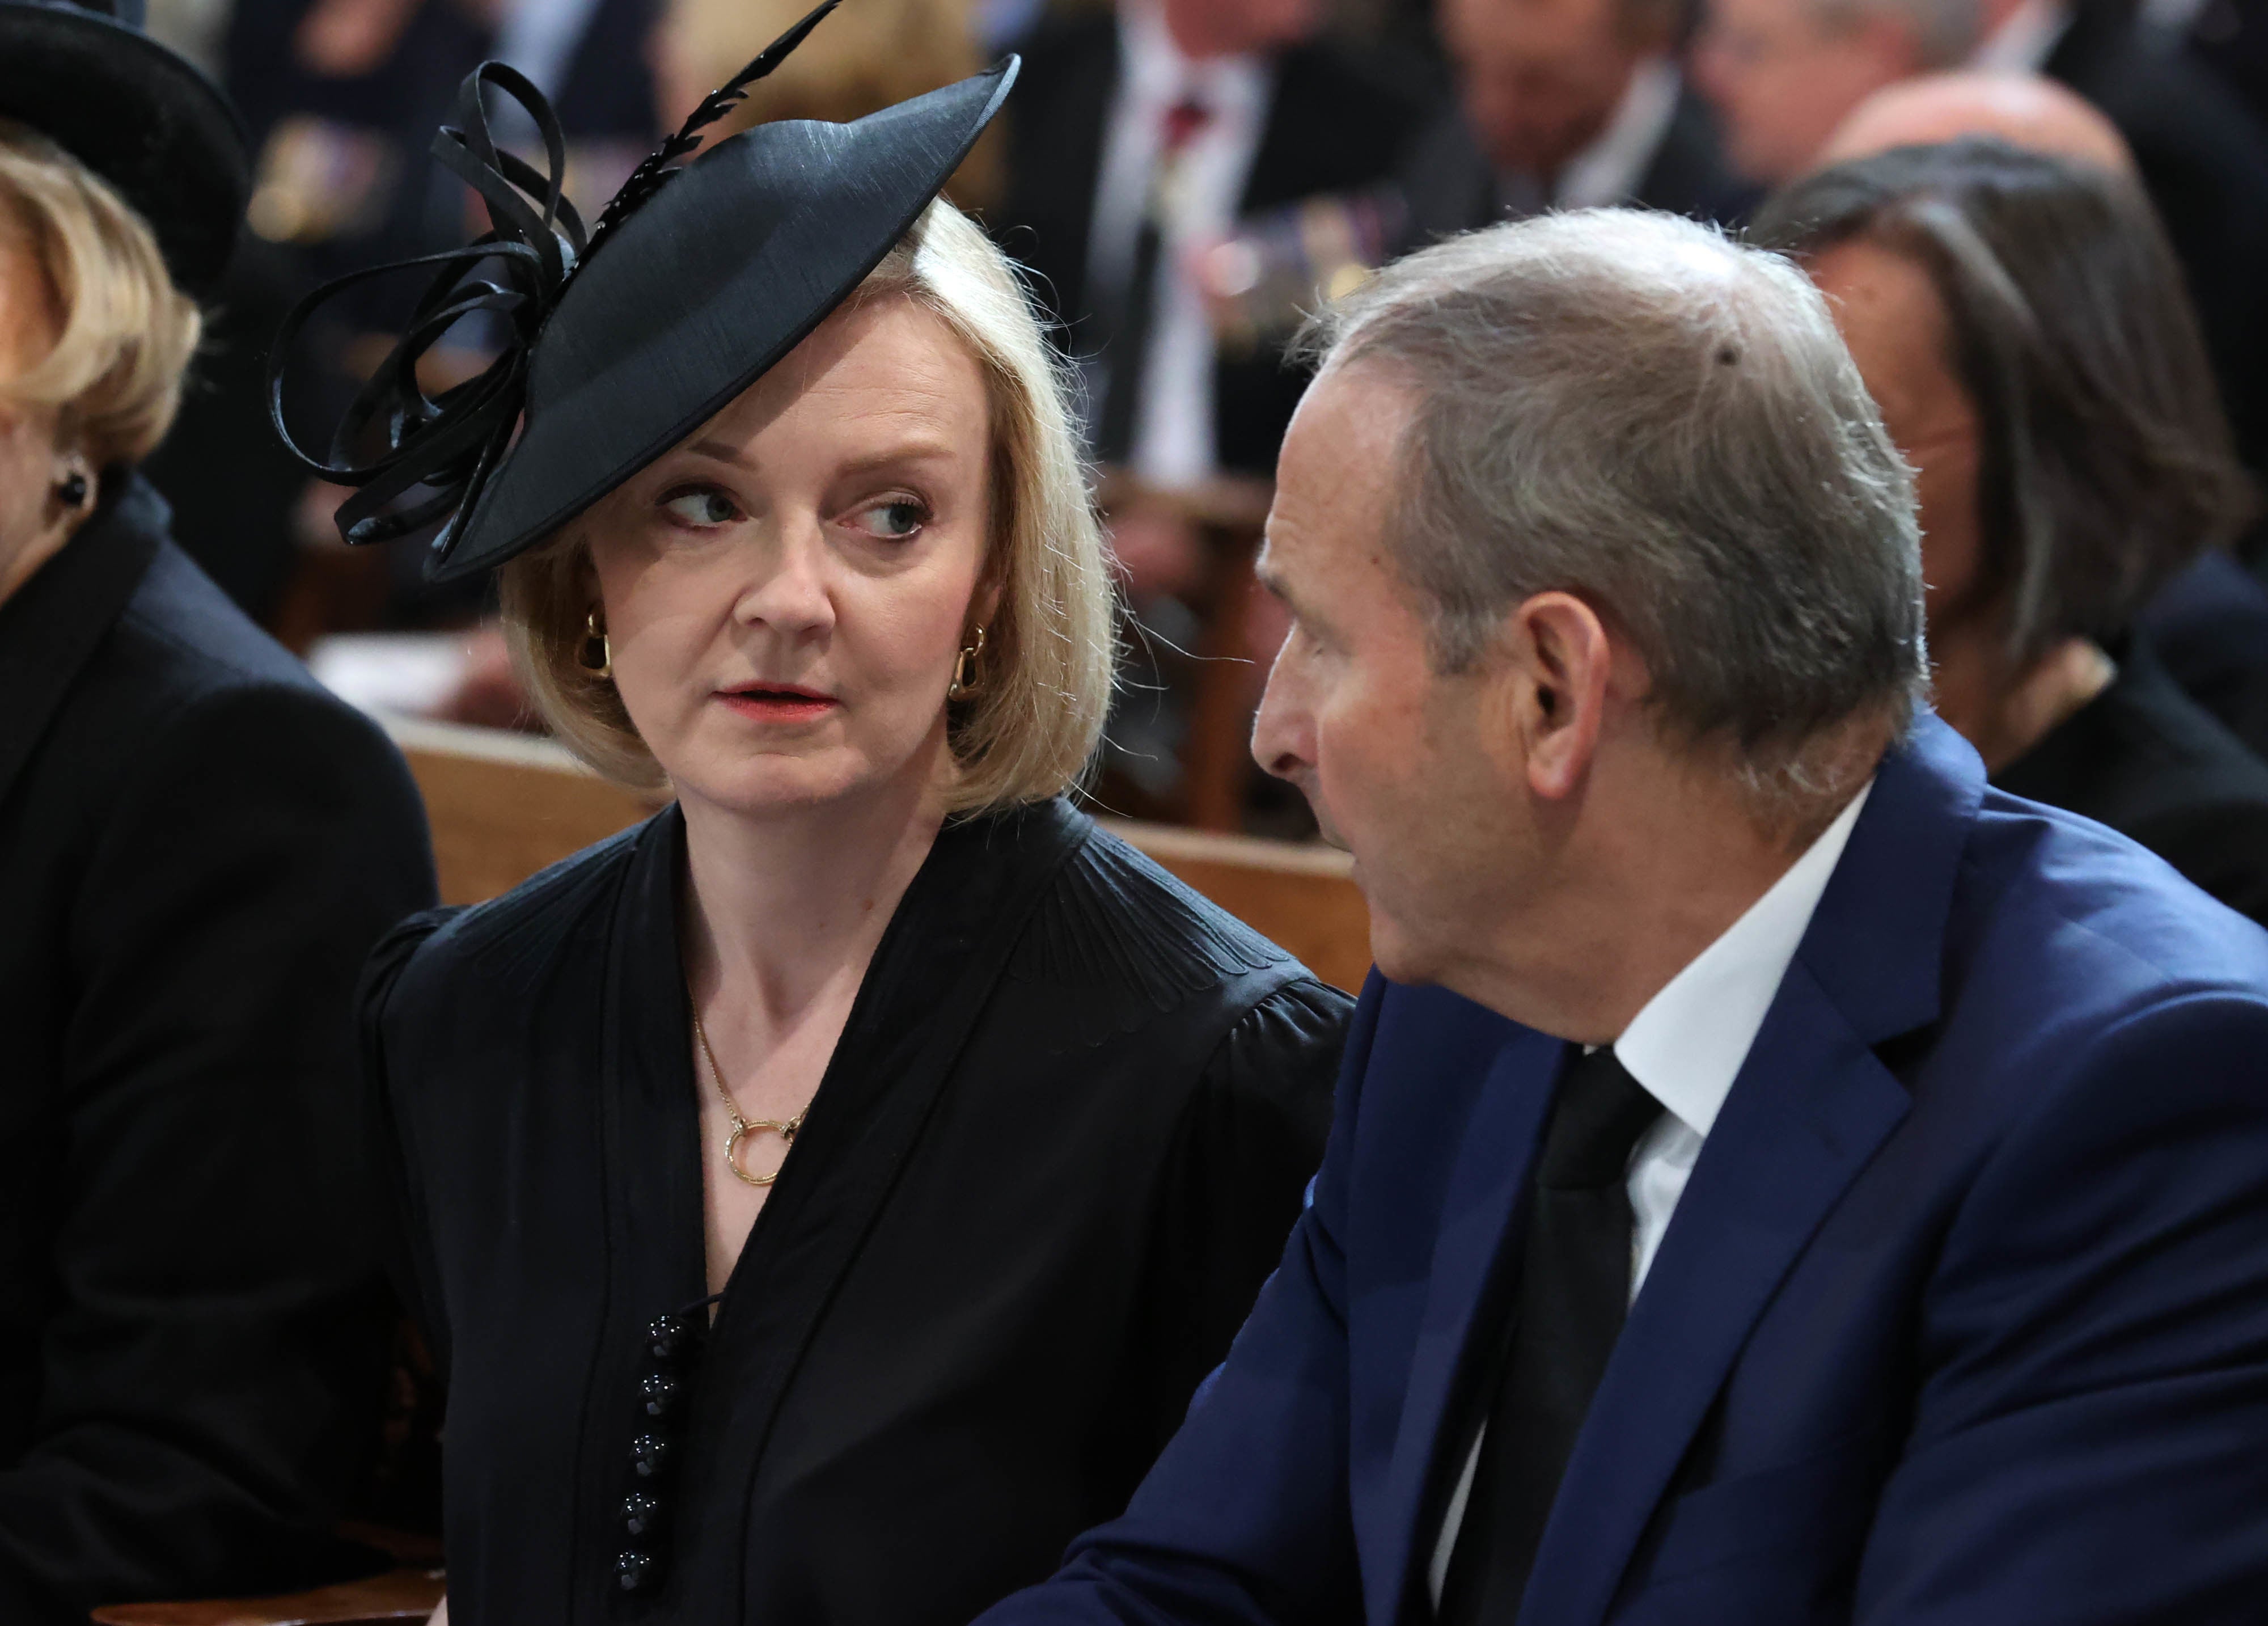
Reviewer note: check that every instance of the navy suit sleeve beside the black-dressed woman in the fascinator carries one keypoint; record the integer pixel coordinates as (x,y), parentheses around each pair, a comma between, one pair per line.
(1244,1521)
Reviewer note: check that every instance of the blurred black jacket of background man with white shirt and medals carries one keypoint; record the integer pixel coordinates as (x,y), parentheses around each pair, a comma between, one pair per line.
(1335,126)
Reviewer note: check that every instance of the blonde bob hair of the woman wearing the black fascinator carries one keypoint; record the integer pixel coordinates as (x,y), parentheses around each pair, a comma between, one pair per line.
(1042,686)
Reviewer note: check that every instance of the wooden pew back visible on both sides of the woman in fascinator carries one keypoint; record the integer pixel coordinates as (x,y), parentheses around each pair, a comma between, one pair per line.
(505,806)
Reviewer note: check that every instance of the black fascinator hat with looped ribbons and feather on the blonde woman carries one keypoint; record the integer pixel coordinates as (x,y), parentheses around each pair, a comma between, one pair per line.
(623,341)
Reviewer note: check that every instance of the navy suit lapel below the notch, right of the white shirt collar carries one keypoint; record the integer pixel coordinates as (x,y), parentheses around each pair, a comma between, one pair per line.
(1804,1119)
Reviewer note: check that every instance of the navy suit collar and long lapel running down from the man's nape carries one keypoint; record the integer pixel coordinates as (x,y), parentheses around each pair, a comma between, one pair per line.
(1809,1110)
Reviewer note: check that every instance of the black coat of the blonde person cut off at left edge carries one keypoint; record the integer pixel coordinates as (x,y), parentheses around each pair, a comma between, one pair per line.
(198,849)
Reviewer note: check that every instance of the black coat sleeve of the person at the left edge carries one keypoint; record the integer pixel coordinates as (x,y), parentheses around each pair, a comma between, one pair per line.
(214,1362)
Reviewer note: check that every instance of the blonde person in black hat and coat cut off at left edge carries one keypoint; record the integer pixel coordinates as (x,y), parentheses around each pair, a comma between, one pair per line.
(198,849)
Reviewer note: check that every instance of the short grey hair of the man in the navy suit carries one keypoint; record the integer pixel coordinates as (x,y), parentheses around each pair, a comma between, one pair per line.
(1643,414)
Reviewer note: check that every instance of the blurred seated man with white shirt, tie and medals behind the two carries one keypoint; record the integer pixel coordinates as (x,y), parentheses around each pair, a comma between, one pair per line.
(1140,142)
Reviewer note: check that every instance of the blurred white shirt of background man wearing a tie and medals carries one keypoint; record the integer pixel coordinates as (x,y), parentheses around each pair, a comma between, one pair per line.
(1174,418)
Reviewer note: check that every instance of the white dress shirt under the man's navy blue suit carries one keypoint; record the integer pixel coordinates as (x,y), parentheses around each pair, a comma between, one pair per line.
(1686,1047)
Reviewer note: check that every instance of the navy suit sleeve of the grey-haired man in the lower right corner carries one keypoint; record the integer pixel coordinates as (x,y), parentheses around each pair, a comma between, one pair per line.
(2092,1403)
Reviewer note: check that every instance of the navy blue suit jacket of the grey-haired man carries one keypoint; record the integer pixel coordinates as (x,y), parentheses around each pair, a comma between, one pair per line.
(1963,1316)
